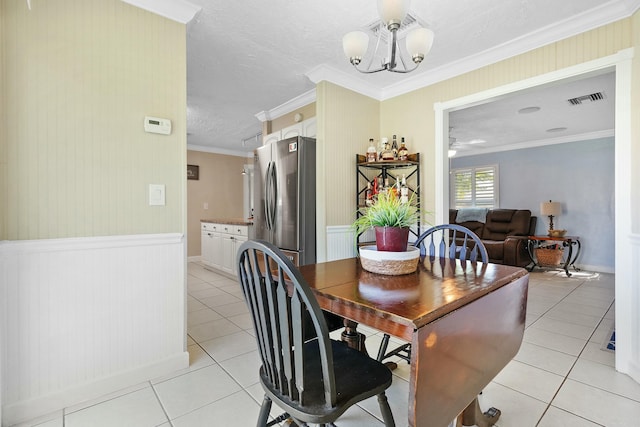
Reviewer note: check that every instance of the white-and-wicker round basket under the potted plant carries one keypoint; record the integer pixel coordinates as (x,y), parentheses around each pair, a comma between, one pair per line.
(389,263)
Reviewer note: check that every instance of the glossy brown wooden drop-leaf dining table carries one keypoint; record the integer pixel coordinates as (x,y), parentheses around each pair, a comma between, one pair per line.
(465,322)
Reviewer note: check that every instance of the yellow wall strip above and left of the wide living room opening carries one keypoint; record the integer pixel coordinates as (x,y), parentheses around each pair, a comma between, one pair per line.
(412,114)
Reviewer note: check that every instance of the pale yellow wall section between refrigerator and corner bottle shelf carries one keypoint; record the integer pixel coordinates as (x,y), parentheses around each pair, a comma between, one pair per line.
(346,121)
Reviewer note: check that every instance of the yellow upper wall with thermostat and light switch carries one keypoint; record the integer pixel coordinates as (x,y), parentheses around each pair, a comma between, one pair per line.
(80,76)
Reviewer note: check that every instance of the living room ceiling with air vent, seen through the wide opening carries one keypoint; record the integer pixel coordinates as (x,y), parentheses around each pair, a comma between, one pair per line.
(535,117)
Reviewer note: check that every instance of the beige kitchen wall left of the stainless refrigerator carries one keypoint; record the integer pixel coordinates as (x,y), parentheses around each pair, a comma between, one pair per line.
(220,185)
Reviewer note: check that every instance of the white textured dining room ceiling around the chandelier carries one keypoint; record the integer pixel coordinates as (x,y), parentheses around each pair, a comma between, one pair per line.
(252,56)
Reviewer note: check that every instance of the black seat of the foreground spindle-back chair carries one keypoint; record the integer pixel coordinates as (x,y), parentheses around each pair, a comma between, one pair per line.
(357,377)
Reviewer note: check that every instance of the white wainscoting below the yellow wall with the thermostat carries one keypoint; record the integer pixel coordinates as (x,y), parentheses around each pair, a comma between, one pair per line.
(83,317)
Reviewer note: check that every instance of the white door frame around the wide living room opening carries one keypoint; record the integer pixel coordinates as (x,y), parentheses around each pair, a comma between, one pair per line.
(627,309)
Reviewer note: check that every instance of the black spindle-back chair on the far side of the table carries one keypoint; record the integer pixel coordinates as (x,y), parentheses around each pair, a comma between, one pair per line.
(451,241)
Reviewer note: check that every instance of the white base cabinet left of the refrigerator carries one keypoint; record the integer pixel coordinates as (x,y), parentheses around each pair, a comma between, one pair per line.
(220,244)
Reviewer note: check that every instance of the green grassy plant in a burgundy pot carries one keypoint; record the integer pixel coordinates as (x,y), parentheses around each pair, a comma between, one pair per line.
(391,219)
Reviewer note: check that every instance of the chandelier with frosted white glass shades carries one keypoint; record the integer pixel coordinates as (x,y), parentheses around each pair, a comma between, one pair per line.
(392,13)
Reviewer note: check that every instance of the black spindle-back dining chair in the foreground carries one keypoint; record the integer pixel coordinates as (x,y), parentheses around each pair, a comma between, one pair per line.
(313,380)
